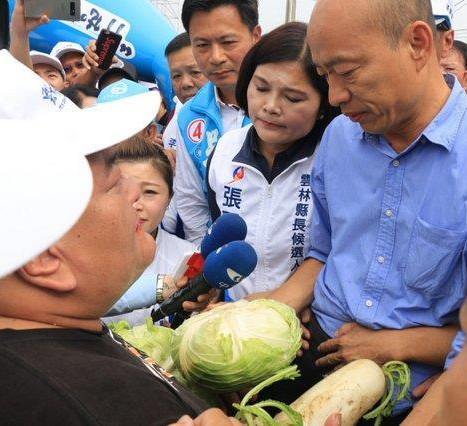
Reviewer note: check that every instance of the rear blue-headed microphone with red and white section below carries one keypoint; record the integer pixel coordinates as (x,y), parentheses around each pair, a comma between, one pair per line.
(226,228)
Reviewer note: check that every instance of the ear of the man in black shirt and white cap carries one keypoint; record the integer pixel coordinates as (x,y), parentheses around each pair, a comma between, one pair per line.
(49,271)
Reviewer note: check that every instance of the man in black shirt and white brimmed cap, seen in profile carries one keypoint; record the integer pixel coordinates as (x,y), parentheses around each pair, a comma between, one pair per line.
(58,362)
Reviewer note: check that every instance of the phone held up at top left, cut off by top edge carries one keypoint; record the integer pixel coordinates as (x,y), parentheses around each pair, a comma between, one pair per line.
(65,10)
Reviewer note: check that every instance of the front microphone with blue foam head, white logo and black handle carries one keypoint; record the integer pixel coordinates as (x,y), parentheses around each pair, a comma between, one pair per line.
(223,269)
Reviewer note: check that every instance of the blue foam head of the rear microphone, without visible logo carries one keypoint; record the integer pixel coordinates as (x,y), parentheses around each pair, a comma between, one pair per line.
(228,227)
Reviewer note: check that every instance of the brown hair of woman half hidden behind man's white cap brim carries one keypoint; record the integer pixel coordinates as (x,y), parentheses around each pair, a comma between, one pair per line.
(136,149)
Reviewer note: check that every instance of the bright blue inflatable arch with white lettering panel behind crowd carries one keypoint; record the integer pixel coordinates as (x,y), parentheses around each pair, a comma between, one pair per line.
(146,33)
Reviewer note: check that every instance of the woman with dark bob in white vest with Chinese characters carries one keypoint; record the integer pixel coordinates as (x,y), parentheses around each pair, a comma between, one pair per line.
(262,171)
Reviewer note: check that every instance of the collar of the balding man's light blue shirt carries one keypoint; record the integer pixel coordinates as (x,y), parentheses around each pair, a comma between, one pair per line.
(442,130)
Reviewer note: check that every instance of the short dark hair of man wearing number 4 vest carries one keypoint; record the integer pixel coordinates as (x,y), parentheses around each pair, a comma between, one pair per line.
(247,9)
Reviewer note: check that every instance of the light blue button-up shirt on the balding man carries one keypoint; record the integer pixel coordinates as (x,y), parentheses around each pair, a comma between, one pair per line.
(392,228)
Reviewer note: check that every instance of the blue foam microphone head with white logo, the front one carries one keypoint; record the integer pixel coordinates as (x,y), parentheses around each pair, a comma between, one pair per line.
(230,264)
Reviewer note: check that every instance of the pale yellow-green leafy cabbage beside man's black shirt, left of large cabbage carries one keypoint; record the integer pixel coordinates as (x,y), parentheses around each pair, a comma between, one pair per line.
(154,340)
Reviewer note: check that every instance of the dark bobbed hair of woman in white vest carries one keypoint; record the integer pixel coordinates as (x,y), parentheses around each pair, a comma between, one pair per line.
(283,44)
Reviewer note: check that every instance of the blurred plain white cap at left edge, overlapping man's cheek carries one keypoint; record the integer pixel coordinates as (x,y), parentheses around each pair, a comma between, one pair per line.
(44,188)
